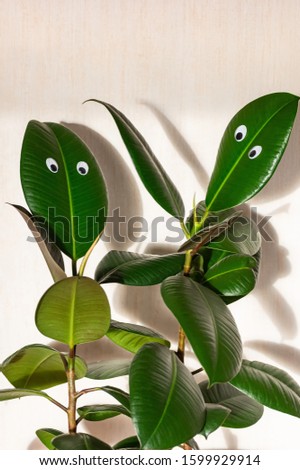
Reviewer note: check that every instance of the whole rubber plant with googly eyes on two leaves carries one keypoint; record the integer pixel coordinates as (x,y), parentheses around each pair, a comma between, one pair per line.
(218,264)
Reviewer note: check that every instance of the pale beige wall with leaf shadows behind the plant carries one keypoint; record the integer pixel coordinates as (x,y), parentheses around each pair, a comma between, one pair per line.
(179,69)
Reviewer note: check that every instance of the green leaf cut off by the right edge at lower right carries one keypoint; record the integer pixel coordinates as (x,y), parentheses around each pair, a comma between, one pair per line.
(270,386)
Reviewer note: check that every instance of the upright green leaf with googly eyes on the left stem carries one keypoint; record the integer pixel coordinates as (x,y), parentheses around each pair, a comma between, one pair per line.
(63,184)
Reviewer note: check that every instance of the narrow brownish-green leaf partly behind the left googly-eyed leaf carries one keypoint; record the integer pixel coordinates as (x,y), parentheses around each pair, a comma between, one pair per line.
(50,251)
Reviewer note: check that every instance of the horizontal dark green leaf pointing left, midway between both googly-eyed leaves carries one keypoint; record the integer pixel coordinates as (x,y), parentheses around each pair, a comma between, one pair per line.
(133,269)
